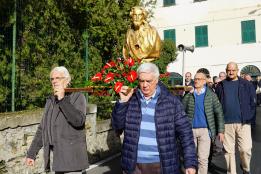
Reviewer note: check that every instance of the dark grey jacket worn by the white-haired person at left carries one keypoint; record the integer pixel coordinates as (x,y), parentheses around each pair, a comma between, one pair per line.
(69,140)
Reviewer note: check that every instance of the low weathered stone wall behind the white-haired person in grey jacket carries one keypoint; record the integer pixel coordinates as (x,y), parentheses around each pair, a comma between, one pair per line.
(18,129)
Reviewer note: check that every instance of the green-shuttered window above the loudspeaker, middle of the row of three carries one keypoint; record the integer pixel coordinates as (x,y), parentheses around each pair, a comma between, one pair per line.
(201,36)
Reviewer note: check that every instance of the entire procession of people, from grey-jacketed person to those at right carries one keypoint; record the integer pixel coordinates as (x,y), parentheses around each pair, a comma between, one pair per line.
(162,132)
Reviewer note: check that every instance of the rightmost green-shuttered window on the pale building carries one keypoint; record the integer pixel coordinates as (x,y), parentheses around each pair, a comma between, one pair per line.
(248,31)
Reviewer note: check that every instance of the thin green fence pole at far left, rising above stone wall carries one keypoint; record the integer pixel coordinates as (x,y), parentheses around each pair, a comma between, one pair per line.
(13,58)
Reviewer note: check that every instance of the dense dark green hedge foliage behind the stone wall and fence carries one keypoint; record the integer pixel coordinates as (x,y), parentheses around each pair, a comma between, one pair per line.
(50,33)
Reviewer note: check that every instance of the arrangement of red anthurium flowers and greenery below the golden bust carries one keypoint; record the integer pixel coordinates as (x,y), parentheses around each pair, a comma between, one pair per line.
(116,74)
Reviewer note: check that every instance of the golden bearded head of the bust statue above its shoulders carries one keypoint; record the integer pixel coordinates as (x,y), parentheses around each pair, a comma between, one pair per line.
(138,15)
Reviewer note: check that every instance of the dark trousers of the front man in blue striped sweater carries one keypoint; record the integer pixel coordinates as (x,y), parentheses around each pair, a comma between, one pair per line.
(150,168)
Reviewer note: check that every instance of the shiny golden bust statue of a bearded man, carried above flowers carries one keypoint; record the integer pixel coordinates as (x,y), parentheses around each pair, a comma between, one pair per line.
(142,40)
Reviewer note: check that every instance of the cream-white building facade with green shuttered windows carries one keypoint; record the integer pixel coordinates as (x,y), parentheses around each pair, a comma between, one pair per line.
(220,31)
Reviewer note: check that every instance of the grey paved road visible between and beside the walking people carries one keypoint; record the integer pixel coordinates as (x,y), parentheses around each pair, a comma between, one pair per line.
(218,162)
